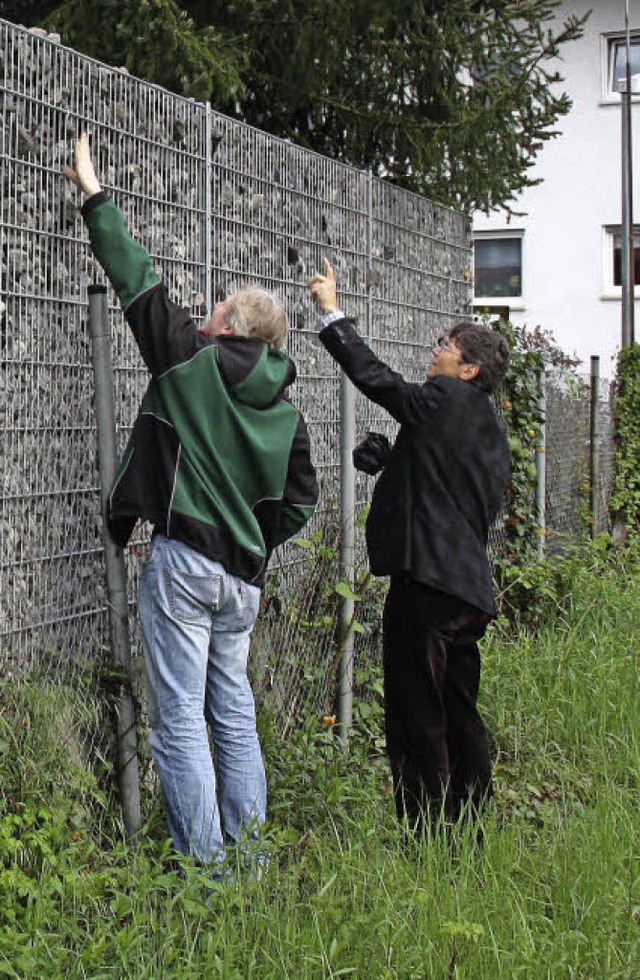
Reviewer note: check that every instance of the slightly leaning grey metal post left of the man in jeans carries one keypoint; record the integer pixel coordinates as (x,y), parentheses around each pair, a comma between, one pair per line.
(116,579)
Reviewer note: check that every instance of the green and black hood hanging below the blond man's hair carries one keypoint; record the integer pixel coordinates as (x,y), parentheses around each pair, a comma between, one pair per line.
(255,373)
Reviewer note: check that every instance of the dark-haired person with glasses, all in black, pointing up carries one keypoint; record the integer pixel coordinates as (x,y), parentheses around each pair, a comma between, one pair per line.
(440,490)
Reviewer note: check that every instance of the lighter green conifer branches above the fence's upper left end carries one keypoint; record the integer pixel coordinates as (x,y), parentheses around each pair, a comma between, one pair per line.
(158,41)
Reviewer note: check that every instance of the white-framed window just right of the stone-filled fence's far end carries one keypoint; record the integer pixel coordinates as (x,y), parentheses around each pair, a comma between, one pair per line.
(498,267)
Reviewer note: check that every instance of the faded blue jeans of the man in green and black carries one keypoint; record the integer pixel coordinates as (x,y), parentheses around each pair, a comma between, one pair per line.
(196,622)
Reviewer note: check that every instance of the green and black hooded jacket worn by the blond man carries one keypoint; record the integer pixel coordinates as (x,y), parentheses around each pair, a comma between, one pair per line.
(218,457)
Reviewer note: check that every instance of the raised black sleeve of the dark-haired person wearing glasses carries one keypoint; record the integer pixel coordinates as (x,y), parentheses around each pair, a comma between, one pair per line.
(406,401)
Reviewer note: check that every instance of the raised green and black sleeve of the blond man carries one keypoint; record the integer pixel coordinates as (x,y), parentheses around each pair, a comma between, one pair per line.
(164,331)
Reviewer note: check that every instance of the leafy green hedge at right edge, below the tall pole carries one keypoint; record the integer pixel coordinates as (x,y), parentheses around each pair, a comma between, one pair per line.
(625,497)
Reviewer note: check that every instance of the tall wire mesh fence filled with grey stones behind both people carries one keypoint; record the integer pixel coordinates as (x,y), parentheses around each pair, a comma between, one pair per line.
(217,204)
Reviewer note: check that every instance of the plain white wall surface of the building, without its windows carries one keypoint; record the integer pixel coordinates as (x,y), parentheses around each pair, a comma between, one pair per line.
(564,261)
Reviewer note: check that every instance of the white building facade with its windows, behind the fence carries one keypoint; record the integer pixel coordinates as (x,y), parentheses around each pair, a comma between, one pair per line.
(558,266)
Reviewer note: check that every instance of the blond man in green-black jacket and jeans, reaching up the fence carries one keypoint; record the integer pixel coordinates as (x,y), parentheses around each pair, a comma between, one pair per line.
(219,462)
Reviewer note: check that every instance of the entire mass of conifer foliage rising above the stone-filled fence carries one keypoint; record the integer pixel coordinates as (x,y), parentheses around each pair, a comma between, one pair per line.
(450,99)
